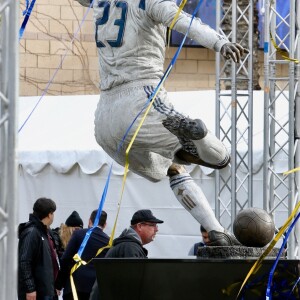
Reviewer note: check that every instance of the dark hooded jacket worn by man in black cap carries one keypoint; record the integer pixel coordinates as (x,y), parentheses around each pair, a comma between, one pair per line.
(128,244)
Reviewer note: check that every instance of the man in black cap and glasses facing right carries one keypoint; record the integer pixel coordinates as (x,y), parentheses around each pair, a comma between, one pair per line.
(131,242)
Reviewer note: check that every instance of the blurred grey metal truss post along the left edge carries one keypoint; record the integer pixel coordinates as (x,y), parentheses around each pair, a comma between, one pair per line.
(9,91)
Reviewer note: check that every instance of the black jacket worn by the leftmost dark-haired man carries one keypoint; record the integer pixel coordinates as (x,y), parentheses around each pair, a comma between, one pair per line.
(35,261)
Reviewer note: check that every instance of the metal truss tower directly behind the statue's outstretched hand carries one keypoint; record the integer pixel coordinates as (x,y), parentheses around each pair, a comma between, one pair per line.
(234,95)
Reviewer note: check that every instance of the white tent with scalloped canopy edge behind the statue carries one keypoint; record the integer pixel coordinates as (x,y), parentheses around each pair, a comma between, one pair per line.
(60,159)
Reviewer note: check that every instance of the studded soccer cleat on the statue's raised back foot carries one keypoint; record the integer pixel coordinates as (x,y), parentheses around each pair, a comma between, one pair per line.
(192,129)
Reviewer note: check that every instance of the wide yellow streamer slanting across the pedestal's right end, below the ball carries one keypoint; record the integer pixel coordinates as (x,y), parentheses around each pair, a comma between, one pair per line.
(257,264)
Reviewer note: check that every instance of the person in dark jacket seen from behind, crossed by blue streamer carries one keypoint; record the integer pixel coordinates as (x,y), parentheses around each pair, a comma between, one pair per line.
(84,277)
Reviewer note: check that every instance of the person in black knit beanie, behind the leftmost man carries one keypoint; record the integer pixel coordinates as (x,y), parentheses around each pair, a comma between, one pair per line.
(63,233)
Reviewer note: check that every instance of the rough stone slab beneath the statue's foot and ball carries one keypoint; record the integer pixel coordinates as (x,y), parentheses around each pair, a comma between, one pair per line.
(236,252)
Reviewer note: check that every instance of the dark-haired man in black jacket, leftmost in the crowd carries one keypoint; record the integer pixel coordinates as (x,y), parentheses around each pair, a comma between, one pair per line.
(38,262)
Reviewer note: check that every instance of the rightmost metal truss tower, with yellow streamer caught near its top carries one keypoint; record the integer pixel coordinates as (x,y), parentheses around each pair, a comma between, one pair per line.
(282,131)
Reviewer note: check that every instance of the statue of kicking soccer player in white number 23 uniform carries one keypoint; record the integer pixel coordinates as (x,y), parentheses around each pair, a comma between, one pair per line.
(131,38)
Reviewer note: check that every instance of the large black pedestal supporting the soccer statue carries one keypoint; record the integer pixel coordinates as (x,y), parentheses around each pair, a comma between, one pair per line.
(189,279)
